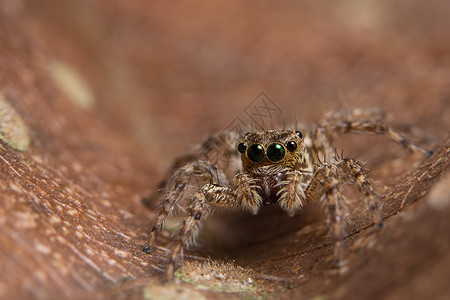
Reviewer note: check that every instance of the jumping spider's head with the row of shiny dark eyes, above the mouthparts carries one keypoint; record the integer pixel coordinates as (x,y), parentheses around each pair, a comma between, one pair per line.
(283,148)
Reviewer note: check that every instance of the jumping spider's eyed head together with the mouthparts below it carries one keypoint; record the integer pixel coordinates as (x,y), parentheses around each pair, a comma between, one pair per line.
(268,157)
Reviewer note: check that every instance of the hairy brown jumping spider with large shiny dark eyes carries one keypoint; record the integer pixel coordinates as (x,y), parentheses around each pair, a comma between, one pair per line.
(273,167)
